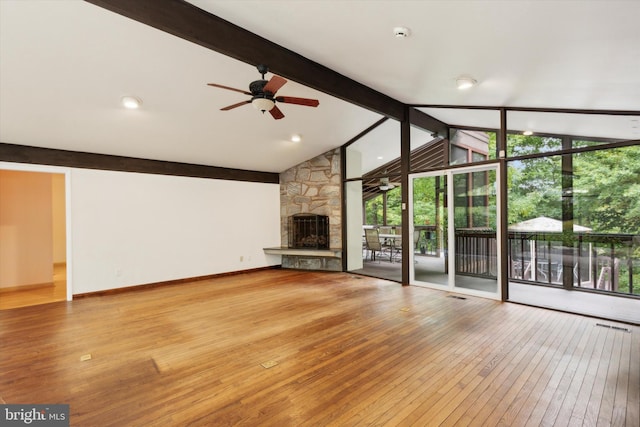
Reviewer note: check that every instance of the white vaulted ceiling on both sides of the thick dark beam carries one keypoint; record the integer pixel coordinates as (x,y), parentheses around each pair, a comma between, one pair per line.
(64,65)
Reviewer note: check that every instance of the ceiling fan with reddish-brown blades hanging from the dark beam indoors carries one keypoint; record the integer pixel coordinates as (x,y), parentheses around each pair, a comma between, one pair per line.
(263,95)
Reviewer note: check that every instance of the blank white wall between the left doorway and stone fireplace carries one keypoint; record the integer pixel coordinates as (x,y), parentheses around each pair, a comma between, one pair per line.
(130,229)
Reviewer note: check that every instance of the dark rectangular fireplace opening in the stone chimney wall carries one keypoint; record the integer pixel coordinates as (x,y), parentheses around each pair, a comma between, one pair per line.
(309,231)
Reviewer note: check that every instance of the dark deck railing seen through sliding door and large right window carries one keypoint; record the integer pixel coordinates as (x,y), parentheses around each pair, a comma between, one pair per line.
(607,262)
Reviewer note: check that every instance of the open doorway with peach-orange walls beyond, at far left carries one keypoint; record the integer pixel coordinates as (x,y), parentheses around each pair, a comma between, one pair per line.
(33,238)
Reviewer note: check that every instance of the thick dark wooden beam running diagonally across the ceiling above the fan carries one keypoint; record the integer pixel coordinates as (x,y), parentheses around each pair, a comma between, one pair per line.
(188,22)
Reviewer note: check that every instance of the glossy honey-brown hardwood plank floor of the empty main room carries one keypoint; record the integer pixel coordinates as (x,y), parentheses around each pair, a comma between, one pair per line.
(347,350)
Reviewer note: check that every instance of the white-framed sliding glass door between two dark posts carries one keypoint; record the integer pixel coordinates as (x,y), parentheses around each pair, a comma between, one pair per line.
(455,227)
